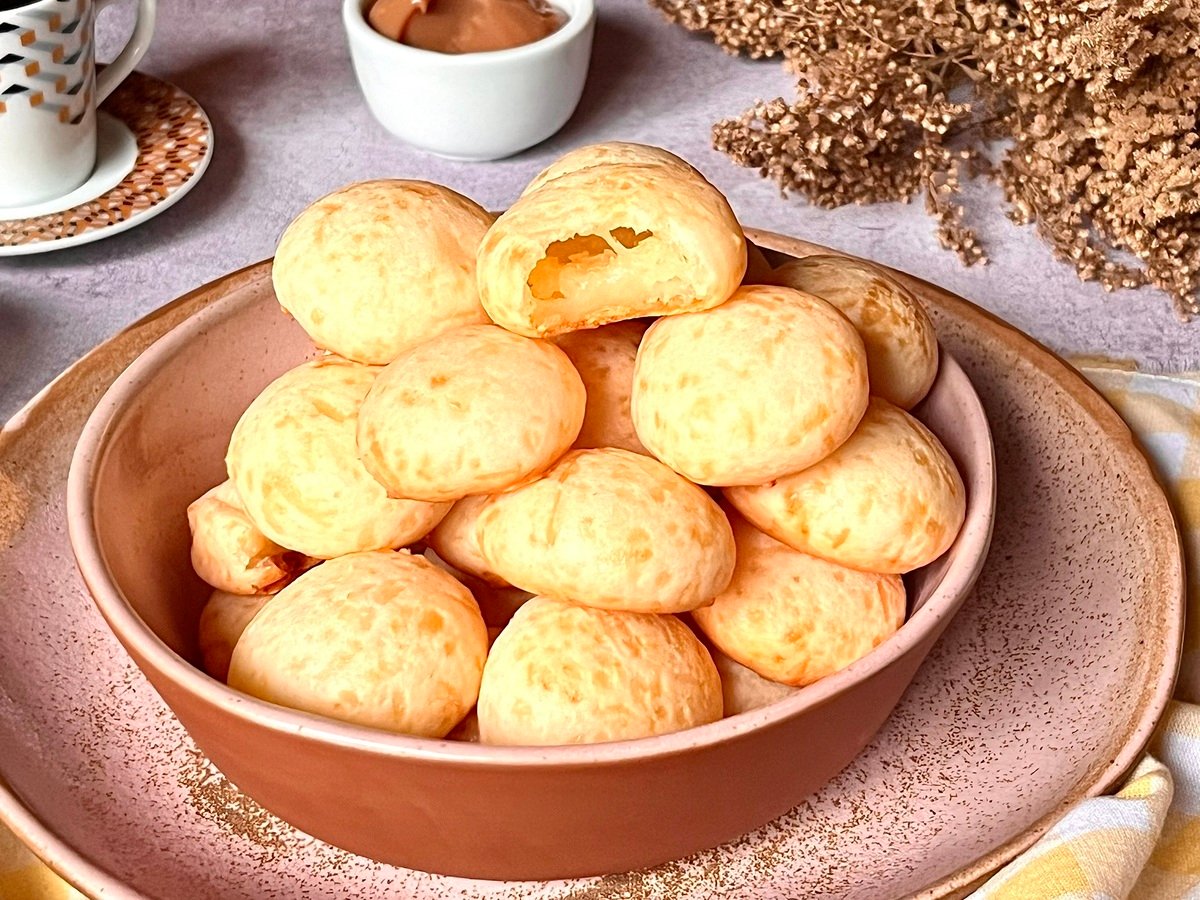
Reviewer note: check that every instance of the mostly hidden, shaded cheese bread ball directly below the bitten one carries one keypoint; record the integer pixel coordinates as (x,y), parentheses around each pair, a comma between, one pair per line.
(605,359)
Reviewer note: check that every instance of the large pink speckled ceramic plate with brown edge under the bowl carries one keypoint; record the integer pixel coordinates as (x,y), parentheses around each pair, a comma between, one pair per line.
(1043,691)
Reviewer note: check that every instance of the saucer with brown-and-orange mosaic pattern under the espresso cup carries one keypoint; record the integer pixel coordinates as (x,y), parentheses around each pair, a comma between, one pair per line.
(175,140)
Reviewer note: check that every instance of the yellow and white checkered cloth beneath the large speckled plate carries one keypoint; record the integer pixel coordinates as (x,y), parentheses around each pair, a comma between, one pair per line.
(1143,843)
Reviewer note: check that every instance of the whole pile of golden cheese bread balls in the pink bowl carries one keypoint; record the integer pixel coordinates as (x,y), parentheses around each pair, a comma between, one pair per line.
(589,471)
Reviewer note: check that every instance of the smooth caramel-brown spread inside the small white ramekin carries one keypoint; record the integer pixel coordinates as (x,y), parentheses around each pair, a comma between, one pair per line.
(465,26)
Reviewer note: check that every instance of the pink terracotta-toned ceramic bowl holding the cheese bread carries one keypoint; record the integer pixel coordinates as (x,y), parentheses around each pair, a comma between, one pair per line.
(157,441)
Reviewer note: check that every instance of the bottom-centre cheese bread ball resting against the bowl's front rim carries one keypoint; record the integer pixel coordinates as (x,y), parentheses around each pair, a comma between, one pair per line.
(562,674)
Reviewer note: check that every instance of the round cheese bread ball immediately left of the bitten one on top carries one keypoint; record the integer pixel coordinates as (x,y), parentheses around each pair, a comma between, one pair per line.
(381,266)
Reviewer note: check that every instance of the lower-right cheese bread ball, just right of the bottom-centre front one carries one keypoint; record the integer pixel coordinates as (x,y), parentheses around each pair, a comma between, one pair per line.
(795,619)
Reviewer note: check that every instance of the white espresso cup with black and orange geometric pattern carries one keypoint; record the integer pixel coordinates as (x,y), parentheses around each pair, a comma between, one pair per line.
(50,91)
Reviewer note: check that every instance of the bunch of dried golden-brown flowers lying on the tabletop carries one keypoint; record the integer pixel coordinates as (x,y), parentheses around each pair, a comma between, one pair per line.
(1097,100)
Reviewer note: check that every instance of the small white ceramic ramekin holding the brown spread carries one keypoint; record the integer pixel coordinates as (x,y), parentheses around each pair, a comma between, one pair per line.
(473,106)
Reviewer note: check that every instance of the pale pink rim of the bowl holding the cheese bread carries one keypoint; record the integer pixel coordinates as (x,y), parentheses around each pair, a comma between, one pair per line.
(970,550)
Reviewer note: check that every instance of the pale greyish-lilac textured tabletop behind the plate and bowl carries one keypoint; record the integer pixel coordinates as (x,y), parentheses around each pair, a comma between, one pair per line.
(291,125)
